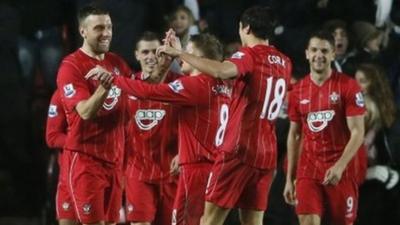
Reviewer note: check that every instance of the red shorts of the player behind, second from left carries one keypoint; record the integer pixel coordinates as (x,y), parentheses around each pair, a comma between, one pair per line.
(149,202)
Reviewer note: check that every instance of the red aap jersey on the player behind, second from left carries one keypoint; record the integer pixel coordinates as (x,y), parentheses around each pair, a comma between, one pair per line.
(152,133)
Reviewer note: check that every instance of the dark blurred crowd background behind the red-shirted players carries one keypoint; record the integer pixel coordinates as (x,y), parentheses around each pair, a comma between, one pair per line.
(36,34)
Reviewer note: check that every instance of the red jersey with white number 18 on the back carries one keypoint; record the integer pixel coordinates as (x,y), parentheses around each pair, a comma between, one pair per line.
(260,90)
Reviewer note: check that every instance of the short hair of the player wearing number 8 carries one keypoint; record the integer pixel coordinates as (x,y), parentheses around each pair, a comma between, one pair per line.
(209,45)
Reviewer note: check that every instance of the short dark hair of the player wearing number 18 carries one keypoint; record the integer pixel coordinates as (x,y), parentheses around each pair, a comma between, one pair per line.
(261,20)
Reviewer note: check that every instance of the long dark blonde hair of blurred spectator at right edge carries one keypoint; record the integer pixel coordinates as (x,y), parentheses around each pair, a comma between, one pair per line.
(380,93)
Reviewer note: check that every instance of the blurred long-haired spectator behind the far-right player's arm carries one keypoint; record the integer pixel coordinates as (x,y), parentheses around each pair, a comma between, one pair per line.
(378,202)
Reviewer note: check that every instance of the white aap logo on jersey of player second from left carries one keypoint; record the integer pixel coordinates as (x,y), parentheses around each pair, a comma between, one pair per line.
(148,118)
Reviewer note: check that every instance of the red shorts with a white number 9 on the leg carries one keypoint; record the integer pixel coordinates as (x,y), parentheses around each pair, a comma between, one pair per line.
(338,203)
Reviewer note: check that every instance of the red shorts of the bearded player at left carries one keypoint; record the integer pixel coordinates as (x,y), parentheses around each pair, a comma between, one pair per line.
(95,187)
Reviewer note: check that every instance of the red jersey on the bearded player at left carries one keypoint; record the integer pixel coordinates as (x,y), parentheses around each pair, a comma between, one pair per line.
(104,136)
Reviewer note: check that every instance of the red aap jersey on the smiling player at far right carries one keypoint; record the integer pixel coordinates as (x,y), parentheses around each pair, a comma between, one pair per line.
(321,111)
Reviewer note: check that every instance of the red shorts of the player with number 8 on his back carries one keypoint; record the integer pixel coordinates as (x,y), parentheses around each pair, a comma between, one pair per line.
(189,200)
